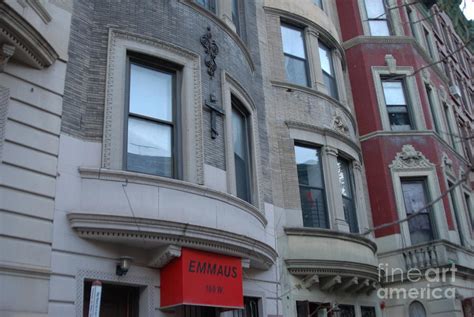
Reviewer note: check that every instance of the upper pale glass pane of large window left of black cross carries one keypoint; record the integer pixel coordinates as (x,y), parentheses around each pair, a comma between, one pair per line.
(151,92)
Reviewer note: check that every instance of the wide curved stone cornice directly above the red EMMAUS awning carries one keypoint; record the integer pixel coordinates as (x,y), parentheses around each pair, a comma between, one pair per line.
(159,233)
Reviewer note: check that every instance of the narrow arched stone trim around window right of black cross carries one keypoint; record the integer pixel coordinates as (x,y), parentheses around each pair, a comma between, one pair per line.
(231,87)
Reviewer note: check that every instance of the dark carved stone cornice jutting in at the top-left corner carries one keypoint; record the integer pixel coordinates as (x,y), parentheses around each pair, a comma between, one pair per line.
(30,46)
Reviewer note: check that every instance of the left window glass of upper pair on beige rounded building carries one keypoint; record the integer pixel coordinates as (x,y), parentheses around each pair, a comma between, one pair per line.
(295,55)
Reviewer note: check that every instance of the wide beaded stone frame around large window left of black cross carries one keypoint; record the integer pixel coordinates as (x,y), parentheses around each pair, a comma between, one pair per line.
(120,43)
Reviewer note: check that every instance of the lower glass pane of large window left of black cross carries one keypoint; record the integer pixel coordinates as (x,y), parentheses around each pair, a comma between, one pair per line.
(149,148)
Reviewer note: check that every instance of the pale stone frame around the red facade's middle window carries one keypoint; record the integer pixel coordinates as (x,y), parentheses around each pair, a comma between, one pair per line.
(412,95)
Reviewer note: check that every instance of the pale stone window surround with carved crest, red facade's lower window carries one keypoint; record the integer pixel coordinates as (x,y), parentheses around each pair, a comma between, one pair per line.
(409,163)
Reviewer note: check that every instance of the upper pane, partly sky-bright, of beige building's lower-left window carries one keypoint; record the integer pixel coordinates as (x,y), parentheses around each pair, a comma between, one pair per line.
(308,164)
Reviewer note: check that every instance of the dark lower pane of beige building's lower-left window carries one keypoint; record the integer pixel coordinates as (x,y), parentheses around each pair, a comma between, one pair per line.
(313,205)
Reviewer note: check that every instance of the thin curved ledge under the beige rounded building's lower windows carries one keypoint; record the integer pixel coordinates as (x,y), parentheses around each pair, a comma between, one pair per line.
(325,233)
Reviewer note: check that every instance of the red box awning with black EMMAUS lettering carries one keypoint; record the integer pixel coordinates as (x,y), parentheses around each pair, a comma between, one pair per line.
(203,279)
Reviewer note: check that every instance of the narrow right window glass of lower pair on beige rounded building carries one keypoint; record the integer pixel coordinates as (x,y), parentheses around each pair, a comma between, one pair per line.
(346,184)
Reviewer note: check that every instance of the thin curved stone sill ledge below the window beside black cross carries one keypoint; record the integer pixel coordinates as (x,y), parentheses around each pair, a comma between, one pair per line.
(146,179)
